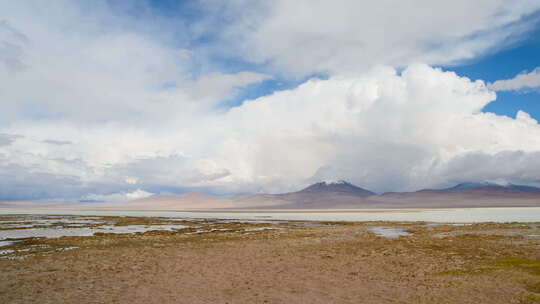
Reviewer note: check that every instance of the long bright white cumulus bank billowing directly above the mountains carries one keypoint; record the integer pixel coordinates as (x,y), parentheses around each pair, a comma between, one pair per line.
(383,130)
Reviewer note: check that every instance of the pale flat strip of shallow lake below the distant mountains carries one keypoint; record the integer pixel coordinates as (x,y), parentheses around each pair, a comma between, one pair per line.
(458,215)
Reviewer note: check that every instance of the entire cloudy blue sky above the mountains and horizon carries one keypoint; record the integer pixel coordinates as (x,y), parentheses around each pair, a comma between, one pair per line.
(119,100)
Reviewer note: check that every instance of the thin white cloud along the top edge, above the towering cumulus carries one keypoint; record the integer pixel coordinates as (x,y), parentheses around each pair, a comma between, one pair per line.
(305,36)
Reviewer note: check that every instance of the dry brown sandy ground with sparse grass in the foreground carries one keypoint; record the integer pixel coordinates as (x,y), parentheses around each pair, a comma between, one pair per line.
(330,263)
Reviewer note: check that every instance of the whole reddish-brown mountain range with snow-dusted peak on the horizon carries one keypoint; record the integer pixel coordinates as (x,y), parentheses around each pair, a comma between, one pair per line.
(344,195)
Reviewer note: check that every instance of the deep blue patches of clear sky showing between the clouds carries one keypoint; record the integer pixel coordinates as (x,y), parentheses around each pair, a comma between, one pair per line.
(522,55)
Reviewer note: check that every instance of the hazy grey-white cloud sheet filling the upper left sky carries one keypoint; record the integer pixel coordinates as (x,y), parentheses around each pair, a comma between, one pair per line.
(96,71)
